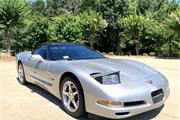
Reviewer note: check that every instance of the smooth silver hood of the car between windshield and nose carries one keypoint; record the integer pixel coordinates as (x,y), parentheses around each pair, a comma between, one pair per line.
(129,69)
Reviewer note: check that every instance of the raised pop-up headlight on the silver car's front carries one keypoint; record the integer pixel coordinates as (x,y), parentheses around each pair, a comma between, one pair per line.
(108,79)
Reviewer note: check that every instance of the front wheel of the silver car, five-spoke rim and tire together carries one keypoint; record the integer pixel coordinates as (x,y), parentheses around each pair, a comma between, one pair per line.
(72,97)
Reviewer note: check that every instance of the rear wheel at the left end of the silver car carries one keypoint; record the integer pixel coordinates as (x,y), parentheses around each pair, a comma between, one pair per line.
(22,79)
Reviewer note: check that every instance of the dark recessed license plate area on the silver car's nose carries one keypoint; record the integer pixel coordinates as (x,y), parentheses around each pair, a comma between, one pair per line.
(157,96)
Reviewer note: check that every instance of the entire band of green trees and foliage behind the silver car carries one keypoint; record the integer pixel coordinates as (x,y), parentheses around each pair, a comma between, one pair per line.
(119,26)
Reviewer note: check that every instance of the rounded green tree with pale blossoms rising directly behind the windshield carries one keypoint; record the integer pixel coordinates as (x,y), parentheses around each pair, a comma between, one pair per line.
(92,24)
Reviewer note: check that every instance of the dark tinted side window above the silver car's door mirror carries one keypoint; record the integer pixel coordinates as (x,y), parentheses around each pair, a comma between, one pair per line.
(42,51)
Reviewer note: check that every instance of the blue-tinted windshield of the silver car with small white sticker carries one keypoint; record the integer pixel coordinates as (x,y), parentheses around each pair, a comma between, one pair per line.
(72,52)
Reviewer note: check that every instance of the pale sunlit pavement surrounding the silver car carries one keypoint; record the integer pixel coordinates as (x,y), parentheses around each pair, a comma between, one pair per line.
(33,103)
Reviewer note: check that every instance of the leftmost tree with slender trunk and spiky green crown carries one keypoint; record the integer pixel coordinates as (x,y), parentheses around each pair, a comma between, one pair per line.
(12,14)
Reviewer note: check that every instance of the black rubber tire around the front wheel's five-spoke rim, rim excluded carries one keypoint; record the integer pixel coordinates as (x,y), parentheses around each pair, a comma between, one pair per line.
(81,107)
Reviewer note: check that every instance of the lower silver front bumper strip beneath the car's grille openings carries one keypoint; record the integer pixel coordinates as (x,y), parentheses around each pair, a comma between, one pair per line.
(125,112)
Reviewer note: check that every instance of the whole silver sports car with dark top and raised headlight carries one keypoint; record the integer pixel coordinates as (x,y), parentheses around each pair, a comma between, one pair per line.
(88,82)
